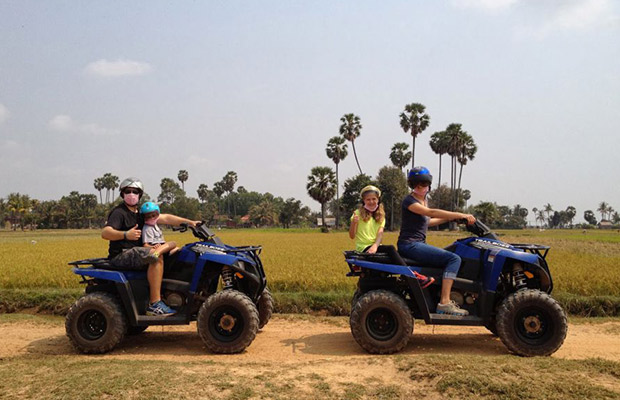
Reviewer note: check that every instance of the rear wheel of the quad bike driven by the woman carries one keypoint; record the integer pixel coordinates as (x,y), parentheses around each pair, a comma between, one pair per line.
(381,322)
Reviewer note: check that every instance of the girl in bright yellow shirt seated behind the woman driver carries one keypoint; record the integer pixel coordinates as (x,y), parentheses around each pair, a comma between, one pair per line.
(367,225)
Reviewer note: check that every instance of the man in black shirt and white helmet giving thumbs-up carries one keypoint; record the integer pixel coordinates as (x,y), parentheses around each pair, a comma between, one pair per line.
(123,229)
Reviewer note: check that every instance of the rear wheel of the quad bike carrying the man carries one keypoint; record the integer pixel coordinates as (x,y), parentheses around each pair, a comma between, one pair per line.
(95,323)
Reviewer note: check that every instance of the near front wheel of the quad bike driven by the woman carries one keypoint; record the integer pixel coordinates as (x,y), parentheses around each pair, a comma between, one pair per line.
(531,323)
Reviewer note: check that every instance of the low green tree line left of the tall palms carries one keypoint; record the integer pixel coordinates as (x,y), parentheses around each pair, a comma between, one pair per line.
(223,205)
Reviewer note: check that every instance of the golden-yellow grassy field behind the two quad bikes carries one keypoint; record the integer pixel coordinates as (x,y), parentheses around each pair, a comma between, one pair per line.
(304,261)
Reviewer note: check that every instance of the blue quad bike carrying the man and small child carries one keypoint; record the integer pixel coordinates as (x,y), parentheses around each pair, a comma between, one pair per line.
(222,287)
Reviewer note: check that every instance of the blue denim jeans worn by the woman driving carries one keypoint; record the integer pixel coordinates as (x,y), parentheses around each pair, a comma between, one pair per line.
(431,256)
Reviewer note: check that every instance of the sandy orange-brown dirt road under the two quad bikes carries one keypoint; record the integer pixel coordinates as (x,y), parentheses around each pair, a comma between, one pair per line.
(294,339)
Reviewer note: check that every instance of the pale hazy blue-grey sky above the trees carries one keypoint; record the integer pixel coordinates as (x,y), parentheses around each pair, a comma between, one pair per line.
(149,88)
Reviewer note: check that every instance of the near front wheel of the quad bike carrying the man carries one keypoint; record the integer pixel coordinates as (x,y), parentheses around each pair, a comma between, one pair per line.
(227,322)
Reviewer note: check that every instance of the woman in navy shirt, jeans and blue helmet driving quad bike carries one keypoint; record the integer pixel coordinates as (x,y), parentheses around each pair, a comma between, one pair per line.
(416,218)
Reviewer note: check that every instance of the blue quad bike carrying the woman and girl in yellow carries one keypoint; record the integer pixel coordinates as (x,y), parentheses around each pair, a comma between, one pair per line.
(505,287)
